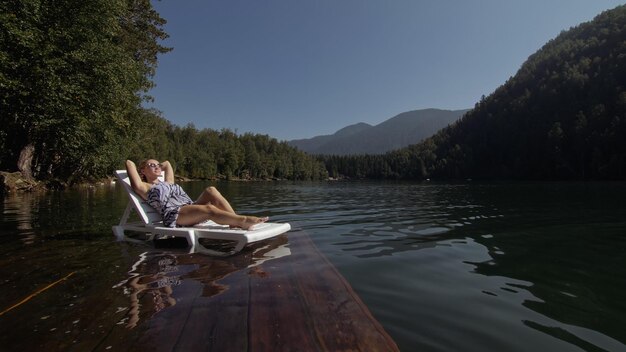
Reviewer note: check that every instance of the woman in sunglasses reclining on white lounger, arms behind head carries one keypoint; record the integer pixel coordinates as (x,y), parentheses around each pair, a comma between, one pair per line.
(175,206)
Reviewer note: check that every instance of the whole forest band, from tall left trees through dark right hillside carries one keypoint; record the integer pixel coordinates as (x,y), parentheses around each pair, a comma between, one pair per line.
(74,75)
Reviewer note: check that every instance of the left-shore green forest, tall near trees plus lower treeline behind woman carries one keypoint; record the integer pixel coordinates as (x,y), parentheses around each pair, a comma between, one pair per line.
(74,75)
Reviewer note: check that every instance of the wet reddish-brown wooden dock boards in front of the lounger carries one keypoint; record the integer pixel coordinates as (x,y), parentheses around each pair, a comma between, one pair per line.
(298,302)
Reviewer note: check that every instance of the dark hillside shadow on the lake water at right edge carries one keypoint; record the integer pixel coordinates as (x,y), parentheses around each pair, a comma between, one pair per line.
(566,241)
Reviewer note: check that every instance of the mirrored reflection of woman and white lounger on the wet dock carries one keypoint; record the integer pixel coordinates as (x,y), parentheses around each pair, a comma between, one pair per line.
(157,279)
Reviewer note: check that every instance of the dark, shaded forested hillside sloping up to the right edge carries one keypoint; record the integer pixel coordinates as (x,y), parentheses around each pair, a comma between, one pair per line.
(561,117)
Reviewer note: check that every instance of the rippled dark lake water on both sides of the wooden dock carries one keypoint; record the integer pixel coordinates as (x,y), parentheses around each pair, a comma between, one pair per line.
(443,267)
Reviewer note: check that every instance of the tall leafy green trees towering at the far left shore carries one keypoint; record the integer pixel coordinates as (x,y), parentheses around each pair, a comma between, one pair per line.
(72,75)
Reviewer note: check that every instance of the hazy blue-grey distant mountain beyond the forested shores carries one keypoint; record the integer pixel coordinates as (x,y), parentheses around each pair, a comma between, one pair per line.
(397,132)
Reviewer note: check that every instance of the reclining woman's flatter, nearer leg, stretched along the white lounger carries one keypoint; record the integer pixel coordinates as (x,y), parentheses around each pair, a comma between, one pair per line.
(193,214)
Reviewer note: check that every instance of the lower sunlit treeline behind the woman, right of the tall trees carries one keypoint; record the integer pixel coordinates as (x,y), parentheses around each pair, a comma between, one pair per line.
(210,154)
